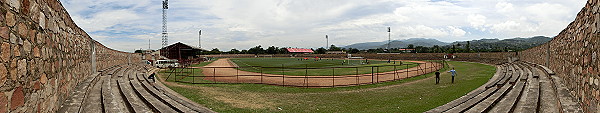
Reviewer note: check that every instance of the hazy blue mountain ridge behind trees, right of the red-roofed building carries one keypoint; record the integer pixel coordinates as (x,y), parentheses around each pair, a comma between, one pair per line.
(398,43)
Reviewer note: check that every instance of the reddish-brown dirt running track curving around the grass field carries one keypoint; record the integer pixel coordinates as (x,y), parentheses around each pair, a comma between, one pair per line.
(223,70)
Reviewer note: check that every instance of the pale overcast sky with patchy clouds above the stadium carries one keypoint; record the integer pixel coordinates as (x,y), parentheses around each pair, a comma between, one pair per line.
(128,24)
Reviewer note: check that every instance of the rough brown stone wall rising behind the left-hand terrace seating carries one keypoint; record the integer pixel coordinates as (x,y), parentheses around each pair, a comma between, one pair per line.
(43,55)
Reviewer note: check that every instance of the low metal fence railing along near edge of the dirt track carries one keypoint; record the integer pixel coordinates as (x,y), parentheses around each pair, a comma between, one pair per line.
(293,76)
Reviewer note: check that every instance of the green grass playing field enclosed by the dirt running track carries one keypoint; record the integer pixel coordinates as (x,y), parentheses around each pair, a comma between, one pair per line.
(326,67)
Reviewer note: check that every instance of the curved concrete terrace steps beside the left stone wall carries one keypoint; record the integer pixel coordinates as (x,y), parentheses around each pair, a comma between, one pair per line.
(125,88)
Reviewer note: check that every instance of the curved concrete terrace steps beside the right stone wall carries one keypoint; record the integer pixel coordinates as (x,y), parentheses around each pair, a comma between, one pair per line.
(516,87)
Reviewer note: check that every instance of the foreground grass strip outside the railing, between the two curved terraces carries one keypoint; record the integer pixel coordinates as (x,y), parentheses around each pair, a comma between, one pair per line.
(415,94)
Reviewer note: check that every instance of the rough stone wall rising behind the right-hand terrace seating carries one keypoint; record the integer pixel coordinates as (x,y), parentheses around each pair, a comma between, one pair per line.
(573,55)
